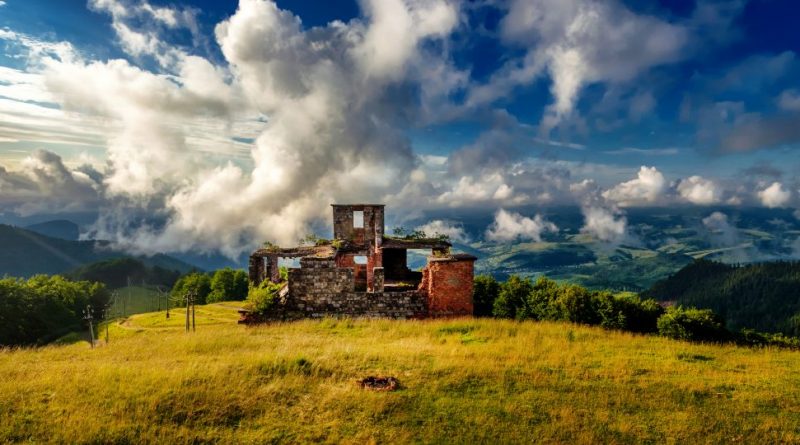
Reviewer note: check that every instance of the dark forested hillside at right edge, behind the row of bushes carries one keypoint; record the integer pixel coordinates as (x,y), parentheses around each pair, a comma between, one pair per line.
(764,297)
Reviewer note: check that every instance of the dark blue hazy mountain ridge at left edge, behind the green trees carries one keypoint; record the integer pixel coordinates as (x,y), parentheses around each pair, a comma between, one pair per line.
(24,253)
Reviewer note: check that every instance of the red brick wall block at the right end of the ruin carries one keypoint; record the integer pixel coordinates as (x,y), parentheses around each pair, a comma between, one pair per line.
(449,287)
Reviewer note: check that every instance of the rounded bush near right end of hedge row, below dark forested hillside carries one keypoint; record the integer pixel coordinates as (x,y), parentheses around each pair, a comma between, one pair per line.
(692,324)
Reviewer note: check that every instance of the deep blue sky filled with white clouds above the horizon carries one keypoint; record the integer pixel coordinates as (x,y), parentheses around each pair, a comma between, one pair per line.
(155,110)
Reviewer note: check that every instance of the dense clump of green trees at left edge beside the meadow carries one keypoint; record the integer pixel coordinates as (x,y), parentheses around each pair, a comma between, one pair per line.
(44,308)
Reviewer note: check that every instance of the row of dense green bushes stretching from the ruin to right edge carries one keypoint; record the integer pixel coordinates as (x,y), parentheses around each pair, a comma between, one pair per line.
(544,299)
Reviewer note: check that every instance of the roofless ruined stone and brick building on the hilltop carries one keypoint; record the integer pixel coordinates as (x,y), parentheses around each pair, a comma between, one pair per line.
(363,272)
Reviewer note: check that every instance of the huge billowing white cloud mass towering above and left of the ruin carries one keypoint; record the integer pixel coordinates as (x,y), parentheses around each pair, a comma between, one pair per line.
(320,105)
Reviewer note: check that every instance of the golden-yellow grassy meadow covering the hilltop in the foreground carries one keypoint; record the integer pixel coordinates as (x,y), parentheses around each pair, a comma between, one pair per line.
(463,381)
